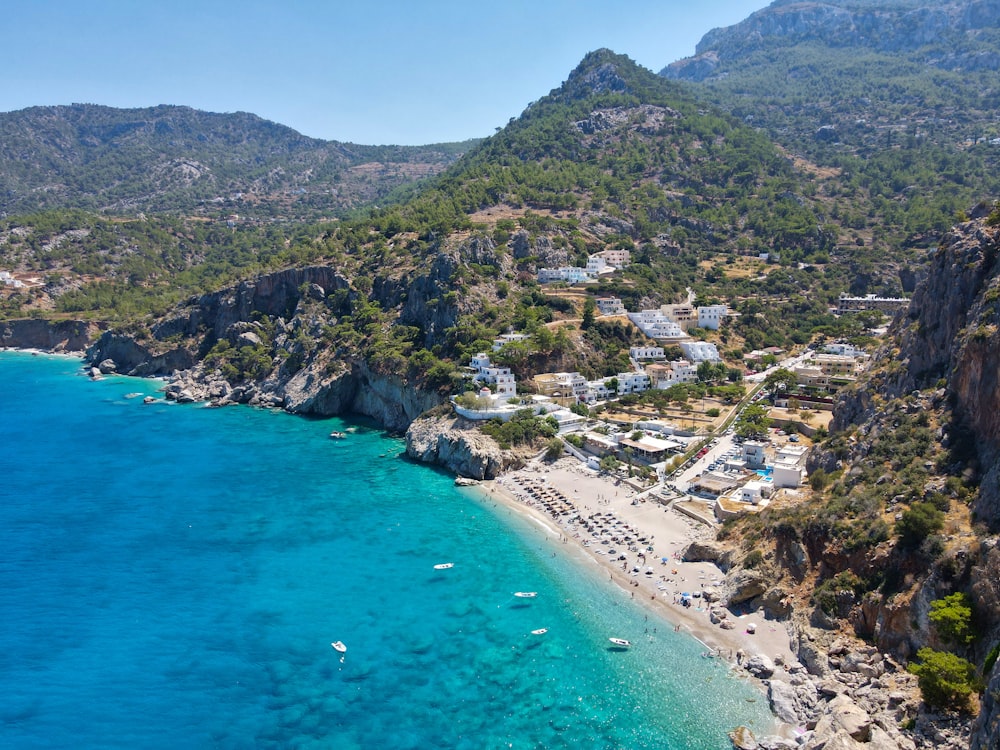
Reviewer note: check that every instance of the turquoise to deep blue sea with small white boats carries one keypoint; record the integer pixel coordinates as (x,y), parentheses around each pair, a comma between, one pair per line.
(173,577)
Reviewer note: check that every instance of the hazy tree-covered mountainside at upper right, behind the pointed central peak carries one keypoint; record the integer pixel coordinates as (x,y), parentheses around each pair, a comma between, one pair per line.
(895,102)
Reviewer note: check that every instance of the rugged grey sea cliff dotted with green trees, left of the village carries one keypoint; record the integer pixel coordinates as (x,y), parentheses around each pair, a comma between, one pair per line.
(273,326)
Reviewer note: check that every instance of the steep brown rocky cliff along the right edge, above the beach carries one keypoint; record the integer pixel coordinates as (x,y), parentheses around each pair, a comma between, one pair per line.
(940,366)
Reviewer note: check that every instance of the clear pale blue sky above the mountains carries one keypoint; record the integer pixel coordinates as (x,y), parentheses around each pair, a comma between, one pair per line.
(364,71)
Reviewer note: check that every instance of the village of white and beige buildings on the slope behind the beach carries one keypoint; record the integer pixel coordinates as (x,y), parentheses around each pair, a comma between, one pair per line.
(704,455)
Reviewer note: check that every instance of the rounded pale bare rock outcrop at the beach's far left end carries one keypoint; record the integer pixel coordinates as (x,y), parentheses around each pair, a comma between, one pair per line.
(457,445)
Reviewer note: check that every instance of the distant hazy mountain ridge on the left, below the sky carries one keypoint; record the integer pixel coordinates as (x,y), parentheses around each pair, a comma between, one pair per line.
(172,157)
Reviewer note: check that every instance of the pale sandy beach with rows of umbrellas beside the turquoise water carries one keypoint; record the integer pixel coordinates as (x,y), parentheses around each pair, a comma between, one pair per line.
(639,543)
